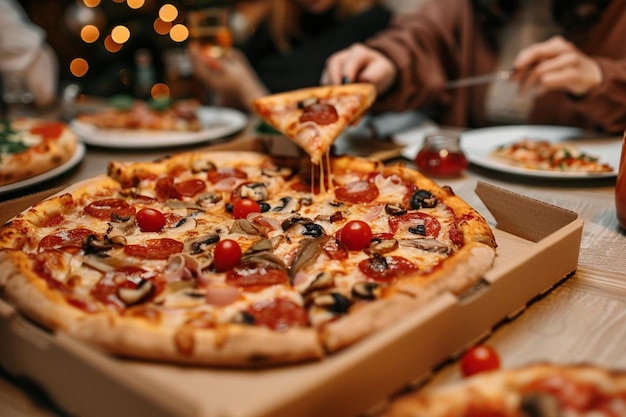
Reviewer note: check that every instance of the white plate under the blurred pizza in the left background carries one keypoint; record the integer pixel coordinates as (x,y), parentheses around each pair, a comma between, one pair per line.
(216,123)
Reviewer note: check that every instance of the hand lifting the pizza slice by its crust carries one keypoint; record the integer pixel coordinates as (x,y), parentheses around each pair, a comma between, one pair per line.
(359,63)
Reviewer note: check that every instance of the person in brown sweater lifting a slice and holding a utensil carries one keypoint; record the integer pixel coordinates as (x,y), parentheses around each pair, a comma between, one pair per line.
(568,59)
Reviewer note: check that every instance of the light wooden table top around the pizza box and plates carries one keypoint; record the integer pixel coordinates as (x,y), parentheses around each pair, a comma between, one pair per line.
(582,320)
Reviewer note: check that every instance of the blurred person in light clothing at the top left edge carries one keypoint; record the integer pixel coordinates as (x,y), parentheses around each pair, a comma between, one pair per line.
(25,54)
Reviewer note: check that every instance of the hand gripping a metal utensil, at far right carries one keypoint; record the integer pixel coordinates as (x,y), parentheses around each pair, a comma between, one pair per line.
(556,65)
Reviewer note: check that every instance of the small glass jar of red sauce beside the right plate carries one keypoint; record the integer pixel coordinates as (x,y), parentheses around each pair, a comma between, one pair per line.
(441,155)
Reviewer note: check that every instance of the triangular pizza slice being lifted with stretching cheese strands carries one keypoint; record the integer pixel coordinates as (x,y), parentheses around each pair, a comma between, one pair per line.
(314,117)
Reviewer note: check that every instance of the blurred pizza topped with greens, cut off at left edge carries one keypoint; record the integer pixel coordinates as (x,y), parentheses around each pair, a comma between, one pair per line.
(29,147)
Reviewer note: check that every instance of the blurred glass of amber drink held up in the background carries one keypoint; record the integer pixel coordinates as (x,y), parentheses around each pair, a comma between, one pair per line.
(210,28)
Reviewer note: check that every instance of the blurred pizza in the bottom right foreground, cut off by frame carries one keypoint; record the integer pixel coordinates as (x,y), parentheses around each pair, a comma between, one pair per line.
(536,390)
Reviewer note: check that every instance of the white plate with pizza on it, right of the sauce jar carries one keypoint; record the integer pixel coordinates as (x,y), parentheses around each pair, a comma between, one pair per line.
(543,151)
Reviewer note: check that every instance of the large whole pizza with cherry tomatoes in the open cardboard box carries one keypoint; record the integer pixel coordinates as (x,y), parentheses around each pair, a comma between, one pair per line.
(238,259)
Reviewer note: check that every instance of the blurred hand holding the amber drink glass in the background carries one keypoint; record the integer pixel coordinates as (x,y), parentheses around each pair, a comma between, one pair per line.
(230,77)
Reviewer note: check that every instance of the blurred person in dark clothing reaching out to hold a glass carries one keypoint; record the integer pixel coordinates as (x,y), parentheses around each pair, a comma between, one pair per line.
(288,48)
